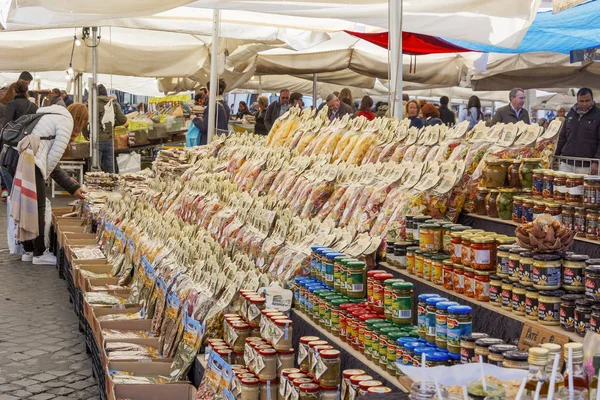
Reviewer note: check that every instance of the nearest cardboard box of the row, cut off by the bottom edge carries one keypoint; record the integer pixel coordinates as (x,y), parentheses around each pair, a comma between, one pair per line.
(179,391)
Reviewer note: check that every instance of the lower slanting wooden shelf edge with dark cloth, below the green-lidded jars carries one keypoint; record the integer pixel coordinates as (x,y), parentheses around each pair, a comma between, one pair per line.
(351,357)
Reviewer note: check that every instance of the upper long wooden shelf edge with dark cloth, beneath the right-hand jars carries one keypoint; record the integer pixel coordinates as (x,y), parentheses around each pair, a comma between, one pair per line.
(496,321)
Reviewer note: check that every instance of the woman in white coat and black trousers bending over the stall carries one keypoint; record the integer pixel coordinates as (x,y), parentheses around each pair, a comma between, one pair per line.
(54,130)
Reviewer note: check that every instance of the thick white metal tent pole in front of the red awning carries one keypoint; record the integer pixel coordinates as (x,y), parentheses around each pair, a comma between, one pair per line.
(395,54)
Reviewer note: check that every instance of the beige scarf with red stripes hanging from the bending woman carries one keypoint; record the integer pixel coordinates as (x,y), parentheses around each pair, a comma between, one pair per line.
(23,198)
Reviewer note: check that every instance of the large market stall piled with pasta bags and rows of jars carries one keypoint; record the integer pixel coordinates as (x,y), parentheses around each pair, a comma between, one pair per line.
(334,256)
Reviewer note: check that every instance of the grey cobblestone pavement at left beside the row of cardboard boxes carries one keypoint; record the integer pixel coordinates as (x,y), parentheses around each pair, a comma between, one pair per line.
(42,352)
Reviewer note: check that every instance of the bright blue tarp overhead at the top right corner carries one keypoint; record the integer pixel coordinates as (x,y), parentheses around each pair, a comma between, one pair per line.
(573,29)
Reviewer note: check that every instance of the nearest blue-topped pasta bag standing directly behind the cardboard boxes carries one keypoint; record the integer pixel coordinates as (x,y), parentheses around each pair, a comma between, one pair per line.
(191,333)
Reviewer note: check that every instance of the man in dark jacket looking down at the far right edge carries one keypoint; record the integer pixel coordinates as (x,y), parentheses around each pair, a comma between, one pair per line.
(580,135)
